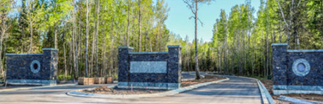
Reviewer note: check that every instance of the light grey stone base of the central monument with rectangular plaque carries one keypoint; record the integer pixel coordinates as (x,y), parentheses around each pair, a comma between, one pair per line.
(150,85)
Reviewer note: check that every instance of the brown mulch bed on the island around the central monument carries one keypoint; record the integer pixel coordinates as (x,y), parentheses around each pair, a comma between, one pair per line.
(123,91)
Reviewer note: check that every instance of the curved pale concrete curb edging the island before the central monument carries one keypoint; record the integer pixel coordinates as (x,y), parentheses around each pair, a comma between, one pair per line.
(168,93)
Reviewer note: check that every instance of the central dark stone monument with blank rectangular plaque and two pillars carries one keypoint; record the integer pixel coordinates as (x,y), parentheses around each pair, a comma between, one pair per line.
(153,70)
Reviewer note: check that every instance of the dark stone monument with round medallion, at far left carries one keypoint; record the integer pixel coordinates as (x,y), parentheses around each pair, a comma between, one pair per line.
(35,69)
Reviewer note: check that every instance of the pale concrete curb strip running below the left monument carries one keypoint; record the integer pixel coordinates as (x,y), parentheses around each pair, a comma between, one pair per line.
(27,88)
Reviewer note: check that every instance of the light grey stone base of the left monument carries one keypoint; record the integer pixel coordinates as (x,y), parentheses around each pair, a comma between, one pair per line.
(30,82)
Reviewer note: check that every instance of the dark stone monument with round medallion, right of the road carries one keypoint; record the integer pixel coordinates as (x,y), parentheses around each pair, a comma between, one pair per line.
(297,71)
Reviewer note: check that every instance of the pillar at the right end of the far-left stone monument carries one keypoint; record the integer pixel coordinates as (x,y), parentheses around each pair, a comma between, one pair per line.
(50,58)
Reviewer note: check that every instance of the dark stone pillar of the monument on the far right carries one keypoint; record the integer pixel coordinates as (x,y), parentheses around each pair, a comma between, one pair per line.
(279,66)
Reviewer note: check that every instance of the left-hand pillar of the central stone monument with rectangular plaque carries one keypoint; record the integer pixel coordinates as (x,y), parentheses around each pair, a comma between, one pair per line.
(124,65)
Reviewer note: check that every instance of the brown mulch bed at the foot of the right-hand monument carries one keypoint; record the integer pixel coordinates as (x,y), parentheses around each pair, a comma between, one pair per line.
(268,84)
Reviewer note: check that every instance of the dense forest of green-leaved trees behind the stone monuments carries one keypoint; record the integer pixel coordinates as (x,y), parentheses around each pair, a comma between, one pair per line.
(88,32)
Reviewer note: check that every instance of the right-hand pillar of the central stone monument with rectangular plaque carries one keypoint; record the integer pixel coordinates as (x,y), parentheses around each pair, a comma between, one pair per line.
(174,66)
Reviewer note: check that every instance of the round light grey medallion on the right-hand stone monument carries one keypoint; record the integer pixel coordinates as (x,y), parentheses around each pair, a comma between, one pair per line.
(301,67)
